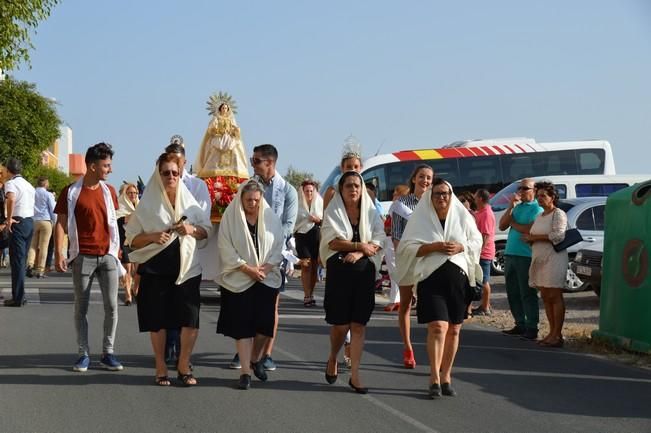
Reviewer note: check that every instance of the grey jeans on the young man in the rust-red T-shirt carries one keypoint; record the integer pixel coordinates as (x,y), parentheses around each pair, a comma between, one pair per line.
(84,269)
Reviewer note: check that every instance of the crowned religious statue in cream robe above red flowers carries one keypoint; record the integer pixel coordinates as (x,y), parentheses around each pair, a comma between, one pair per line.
(222,161)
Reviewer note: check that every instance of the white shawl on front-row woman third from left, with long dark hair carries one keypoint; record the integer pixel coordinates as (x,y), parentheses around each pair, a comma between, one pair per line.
(336,225)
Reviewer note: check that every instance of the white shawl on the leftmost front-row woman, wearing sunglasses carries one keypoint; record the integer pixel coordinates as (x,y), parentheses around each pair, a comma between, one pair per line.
(155,214)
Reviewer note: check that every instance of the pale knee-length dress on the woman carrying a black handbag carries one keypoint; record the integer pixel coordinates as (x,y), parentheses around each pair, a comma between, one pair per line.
(548,267)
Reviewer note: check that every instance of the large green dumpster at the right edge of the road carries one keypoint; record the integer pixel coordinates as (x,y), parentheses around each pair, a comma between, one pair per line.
(625,300)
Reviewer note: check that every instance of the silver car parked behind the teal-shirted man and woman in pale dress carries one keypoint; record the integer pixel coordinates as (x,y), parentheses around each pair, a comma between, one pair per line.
(586,214)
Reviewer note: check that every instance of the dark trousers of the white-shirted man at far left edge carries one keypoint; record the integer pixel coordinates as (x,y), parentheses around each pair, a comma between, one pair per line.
(21,239)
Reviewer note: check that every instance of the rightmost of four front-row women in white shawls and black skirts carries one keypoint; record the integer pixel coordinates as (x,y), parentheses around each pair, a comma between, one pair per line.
(439,251)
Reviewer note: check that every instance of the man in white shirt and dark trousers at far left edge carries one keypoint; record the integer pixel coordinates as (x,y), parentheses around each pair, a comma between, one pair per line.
(19,201)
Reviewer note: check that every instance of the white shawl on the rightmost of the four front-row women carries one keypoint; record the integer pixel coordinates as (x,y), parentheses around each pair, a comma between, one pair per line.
(425,228)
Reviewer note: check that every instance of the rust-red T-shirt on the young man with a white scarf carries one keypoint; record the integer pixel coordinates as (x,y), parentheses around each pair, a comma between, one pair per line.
(91,218)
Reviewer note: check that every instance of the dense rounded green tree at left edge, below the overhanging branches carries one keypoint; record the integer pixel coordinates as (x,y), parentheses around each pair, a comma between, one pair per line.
(29,123)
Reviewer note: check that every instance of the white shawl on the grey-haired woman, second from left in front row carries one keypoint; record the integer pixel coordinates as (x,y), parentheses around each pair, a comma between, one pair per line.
(236,245)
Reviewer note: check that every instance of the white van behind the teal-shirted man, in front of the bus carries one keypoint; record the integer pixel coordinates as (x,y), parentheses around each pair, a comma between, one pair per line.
(568,187)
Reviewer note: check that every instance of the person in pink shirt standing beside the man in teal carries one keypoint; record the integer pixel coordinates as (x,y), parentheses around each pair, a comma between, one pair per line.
(486,225)
